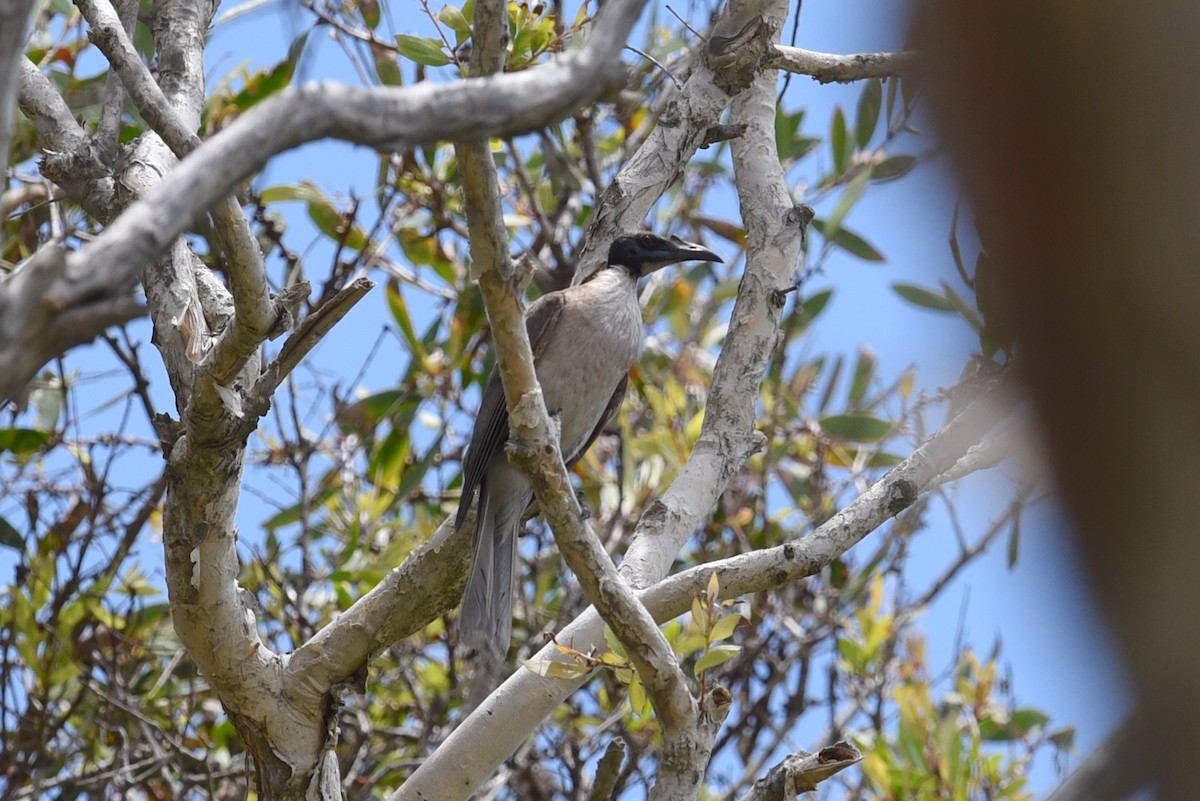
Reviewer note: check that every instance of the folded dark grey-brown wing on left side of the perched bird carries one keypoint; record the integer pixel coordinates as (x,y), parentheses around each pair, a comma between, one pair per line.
(491,430)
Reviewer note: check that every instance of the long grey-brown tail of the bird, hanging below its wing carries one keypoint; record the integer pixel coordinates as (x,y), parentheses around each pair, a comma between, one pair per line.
(487,621)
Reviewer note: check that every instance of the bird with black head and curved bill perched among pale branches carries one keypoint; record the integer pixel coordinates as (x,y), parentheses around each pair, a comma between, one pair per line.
(585,341)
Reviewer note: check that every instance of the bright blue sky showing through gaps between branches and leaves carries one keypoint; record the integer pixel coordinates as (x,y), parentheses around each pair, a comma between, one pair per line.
(1054,642)
